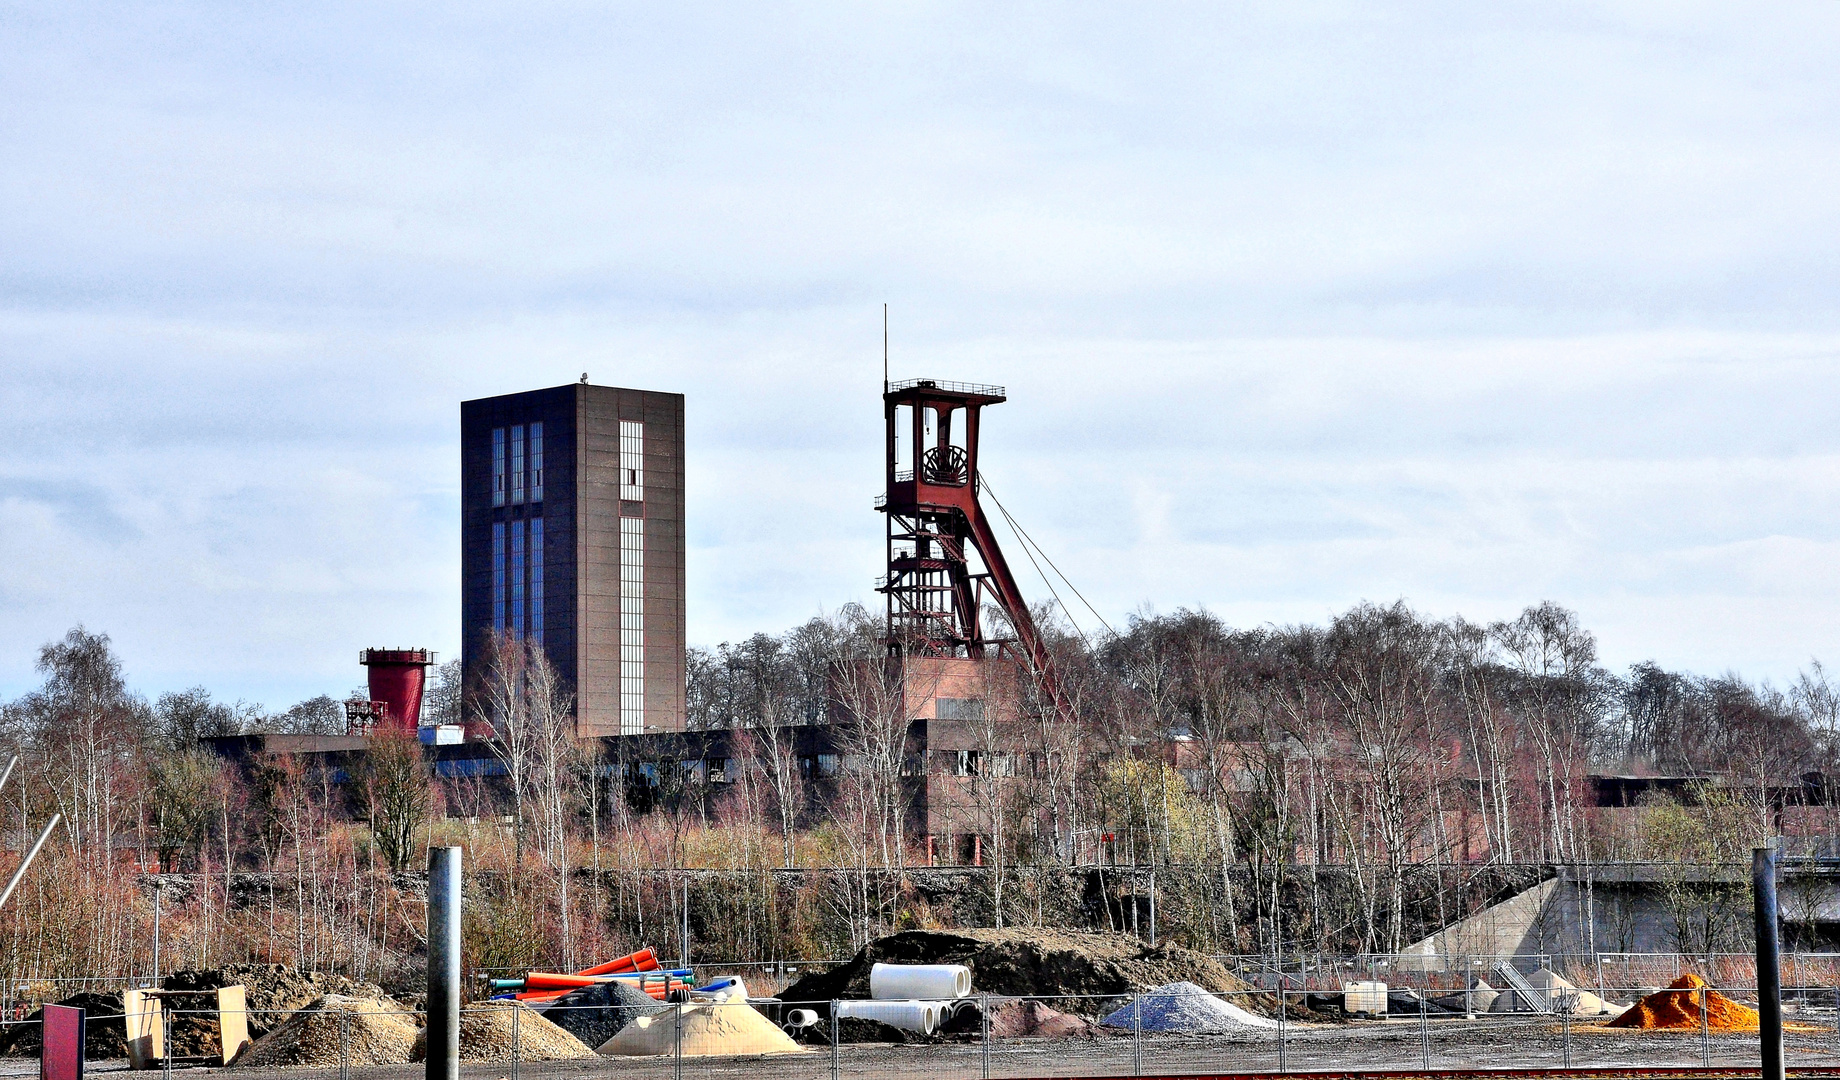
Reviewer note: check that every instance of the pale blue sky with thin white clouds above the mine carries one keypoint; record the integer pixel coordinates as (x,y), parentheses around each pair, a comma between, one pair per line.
(1298,306)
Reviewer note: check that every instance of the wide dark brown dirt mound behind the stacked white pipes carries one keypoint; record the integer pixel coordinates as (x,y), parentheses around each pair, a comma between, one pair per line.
(1029,963)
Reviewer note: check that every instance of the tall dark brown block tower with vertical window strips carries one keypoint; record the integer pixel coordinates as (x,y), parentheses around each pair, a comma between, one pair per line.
(573,538)
